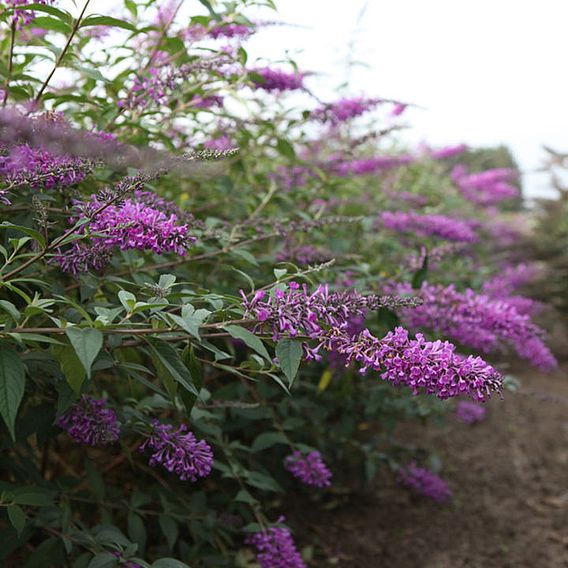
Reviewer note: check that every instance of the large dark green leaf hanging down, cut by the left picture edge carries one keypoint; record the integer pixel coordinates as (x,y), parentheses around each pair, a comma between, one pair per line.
(12,386)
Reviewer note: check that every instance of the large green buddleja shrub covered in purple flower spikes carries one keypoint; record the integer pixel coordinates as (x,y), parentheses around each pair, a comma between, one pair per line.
(217,291)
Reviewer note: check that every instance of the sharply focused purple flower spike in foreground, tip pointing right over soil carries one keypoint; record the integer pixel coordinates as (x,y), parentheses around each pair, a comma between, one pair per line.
(432,367)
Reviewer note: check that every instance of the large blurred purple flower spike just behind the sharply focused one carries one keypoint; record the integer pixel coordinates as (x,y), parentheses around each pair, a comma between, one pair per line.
(478,321)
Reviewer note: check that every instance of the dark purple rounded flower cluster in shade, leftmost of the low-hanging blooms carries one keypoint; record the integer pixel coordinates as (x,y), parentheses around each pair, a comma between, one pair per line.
(89,421)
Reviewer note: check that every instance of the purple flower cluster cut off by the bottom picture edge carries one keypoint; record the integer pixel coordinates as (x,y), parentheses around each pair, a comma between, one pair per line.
(275,548)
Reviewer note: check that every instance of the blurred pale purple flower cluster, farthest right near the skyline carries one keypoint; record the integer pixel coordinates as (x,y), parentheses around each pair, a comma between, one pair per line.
(488,187)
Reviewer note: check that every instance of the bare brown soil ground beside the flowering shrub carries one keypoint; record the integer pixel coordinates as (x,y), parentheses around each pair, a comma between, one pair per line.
(509,475)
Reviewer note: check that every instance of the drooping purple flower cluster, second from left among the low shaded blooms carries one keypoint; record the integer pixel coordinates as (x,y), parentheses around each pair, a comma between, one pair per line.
(179,451)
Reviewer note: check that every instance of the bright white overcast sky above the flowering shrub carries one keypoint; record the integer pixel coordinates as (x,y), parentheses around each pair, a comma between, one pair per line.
(484,72)
